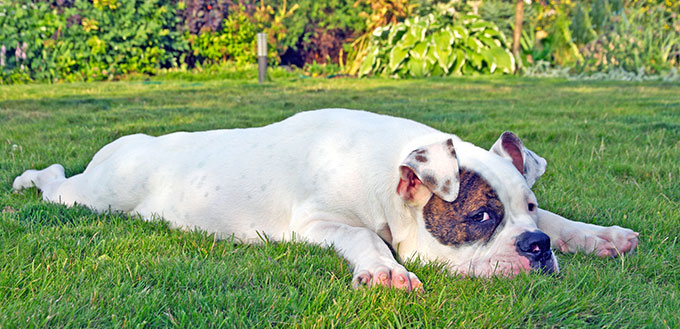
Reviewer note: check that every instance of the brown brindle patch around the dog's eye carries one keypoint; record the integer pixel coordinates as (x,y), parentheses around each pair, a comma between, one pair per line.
(453,223)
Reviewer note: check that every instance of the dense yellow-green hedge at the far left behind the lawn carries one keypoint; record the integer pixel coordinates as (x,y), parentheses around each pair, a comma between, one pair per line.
(89,40)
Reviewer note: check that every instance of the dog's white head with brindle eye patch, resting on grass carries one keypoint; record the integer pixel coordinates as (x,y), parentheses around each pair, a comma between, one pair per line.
(475,208)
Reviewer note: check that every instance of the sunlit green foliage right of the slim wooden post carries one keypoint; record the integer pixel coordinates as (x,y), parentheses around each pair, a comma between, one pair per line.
(600,35)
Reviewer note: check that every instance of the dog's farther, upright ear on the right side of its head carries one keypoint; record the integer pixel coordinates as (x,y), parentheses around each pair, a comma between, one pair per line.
(529,164)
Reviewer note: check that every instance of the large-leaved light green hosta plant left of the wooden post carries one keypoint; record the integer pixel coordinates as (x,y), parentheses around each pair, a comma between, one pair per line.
(437,46)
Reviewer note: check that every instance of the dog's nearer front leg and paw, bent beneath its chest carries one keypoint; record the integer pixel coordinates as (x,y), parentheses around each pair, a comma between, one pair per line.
(371,259)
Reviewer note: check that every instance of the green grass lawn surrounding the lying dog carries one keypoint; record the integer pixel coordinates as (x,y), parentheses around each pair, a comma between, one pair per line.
(614,159)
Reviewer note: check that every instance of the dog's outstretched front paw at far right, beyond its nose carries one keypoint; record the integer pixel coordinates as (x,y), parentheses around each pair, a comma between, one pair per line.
(604,241)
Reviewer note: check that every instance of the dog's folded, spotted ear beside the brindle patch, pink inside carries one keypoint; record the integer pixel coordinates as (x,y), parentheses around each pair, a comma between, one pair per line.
(429,169)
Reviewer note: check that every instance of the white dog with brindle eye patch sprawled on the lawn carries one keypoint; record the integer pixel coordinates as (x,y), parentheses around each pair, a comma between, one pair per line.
(360,182)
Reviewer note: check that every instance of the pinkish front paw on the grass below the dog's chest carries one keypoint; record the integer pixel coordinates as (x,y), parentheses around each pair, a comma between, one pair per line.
(397,277)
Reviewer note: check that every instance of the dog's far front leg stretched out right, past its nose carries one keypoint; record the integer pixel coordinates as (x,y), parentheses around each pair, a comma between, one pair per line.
(571,236)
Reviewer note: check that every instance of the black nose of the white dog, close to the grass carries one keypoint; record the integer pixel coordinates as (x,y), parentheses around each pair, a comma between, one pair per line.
(535,246)
